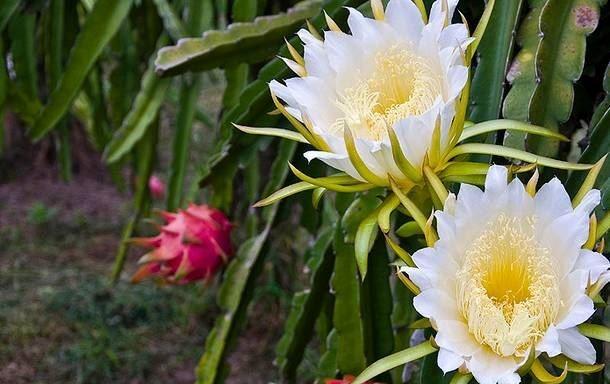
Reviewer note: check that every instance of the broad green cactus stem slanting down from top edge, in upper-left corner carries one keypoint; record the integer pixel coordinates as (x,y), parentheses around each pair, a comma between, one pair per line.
(101,24)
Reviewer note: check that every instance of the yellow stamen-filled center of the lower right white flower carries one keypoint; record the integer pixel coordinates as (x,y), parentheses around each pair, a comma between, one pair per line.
(507,288)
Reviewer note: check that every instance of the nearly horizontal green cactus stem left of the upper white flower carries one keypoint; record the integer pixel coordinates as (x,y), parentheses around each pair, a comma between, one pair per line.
(241,43)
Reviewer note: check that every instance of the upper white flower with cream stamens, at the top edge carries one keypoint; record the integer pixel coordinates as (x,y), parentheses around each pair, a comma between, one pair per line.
(393,72)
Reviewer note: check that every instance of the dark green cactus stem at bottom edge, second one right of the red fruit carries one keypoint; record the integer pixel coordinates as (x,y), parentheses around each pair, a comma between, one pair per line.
(305,307)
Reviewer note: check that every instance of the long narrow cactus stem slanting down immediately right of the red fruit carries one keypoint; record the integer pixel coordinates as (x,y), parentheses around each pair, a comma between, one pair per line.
(237,287)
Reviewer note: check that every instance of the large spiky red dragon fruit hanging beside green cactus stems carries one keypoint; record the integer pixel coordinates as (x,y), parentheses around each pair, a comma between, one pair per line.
(192,245)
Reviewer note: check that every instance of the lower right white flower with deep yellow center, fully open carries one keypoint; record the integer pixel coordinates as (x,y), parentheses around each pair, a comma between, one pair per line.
(507,275)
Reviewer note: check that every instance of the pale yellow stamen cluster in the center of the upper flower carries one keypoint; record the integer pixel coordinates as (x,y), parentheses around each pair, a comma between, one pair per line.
(402,84)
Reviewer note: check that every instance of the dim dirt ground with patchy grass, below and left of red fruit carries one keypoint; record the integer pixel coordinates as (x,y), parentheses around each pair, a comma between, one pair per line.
(60,321)
